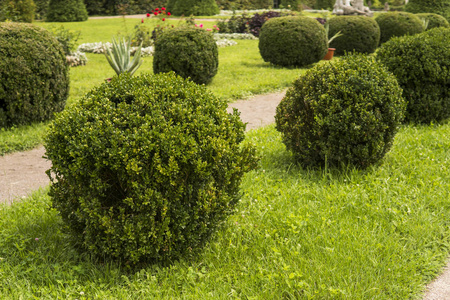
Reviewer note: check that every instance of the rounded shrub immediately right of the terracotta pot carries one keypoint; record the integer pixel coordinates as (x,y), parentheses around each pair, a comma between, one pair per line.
(359,33)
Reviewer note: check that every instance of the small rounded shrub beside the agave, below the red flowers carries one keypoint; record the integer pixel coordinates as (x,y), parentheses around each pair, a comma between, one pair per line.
(189,52)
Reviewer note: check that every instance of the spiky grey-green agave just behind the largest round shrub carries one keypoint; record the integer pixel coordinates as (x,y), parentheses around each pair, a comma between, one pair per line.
(119,56)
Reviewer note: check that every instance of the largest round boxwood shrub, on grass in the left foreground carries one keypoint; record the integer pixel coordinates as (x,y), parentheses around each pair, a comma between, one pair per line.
(145,168)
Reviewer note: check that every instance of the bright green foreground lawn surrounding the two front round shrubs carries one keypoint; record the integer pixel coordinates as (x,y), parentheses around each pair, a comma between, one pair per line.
(380,233)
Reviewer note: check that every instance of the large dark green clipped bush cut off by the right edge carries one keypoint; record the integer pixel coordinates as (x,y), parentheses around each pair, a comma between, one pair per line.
(421,64)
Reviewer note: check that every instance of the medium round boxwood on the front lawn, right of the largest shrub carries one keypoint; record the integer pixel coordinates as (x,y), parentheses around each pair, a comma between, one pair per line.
(346,112)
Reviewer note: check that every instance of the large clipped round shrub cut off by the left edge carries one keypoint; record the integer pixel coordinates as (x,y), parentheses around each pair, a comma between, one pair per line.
(34,75)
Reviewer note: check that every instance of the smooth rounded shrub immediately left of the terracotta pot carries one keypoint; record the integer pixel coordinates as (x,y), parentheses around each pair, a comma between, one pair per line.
(293,41)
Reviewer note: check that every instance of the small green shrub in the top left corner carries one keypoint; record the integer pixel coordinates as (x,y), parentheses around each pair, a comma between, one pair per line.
(17,10)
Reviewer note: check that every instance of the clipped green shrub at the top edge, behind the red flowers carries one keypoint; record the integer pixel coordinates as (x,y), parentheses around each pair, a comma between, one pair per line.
(193,7)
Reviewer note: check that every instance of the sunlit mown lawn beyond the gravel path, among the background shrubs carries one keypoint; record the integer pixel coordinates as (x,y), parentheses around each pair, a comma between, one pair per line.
(242,73)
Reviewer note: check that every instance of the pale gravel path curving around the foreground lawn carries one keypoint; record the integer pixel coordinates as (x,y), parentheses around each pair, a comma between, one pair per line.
(24,172)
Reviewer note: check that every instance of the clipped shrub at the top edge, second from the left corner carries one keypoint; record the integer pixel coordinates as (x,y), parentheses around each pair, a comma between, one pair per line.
(66,11)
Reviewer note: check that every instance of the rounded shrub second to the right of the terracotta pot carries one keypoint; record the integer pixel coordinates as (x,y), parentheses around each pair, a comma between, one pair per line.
(398,24)
